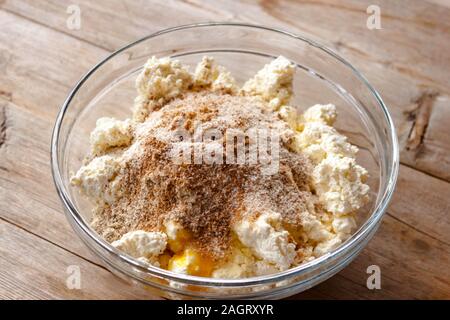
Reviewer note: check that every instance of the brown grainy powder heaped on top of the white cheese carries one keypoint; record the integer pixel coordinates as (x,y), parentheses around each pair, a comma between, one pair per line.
(206,199)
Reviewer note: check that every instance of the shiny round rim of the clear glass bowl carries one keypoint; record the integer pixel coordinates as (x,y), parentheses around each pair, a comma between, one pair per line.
(363,231)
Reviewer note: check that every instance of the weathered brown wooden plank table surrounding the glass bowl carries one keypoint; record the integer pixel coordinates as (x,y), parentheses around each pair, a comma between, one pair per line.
(408,61)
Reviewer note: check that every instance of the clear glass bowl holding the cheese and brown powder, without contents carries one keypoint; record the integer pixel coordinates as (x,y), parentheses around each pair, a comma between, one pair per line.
(321,77)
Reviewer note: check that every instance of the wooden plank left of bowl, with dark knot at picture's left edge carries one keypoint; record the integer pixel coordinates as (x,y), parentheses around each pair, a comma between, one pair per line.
(28,196)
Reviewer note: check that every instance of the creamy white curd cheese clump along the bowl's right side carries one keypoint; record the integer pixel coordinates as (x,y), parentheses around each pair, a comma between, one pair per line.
(337,179)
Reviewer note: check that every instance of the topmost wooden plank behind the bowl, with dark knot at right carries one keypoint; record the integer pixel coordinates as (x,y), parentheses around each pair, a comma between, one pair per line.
(411,49)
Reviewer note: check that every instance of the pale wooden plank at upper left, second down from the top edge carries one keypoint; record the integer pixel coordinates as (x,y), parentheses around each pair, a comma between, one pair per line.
(39,65)
